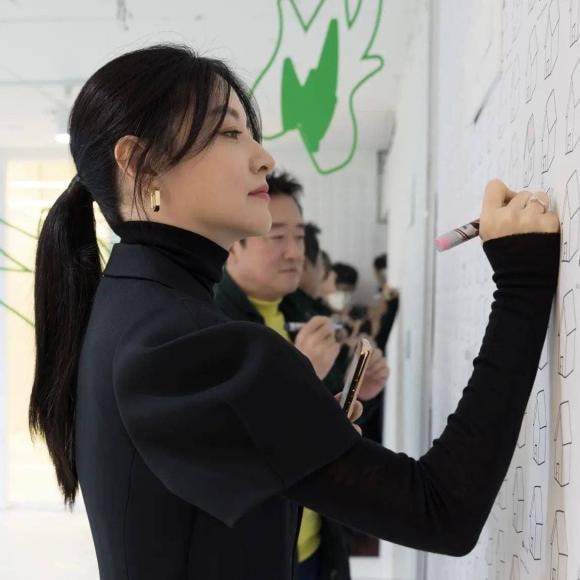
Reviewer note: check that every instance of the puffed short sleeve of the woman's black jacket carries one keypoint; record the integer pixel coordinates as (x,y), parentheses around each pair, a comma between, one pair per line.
(225,416)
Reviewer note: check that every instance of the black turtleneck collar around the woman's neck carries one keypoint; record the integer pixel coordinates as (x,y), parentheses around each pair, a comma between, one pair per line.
(197,254)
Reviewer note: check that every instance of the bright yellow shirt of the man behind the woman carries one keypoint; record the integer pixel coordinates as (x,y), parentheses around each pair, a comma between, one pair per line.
(309,535)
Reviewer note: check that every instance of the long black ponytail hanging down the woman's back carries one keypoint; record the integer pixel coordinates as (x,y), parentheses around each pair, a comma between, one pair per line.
(68,269)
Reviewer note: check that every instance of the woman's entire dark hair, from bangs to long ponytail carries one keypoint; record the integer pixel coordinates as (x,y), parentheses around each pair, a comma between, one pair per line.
(174,103)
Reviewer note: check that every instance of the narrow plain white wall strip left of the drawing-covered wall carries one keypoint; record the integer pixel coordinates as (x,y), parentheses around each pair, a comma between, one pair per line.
(408,246)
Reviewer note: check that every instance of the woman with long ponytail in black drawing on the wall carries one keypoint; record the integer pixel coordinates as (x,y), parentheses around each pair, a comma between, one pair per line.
(191,435)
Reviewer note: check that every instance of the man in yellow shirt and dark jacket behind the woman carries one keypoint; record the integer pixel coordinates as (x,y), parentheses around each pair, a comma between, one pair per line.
(260,272)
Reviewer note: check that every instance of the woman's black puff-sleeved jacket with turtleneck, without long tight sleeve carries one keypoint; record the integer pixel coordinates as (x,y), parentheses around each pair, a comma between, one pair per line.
(189,427)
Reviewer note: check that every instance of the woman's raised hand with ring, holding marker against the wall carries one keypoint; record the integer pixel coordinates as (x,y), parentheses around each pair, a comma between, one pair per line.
(505,212)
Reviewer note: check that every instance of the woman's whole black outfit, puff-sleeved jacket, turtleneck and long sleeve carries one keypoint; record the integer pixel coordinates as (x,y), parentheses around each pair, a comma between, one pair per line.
(194,434)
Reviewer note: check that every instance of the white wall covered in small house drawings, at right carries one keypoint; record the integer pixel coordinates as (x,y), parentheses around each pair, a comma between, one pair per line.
(468,155)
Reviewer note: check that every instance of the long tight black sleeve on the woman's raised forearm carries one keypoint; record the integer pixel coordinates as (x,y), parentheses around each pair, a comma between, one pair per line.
(440,502)
